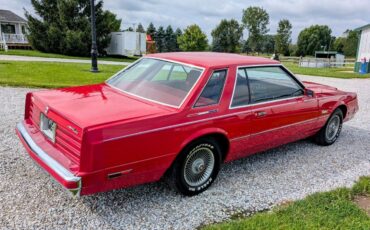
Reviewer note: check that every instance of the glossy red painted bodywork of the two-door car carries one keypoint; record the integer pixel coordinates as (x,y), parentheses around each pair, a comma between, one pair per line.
(102,130)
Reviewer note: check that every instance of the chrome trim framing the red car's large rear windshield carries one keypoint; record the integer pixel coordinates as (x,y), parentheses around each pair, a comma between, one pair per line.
(158,102)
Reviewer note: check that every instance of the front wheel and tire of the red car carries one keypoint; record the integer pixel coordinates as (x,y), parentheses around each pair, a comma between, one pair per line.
(331,131)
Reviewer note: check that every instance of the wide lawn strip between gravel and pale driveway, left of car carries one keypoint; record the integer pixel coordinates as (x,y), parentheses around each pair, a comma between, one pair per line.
(52,75)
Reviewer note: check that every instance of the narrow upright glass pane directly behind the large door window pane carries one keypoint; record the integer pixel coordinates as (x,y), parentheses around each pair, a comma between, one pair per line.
(241,91)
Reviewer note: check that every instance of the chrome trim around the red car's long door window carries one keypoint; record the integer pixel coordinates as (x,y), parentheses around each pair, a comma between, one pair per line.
(262,65)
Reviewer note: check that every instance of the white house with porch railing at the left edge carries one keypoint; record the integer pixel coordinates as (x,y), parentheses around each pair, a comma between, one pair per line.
(13,29)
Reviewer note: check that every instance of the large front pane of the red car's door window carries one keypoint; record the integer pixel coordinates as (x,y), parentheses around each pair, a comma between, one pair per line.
(269,83)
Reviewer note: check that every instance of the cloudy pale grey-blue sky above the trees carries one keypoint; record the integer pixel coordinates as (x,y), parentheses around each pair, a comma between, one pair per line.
(339,15)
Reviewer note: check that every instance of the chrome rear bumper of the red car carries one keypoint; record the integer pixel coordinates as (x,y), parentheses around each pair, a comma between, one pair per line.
(50,162)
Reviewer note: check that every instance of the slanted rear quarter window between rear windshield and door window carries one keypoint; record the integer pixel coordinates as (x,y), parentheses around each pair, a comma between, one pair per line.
(211,93)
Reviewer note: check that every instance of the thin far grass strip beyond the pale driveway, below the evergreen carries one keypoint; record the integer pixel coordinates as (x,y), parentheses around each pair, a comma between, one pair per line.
(35,53)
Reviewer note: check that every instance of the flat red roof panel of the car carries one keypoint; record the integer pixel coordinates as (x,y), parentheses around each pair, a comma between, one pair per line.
(213,59)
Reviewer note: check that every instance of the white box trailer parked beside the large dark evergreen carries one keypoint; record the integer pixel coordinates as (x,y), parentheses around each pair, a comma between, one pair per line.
(127,43)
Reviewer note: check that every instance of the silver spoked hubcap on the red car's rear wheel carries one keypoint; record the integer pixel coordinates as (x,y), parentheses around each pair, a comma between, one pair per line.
(199,166)
